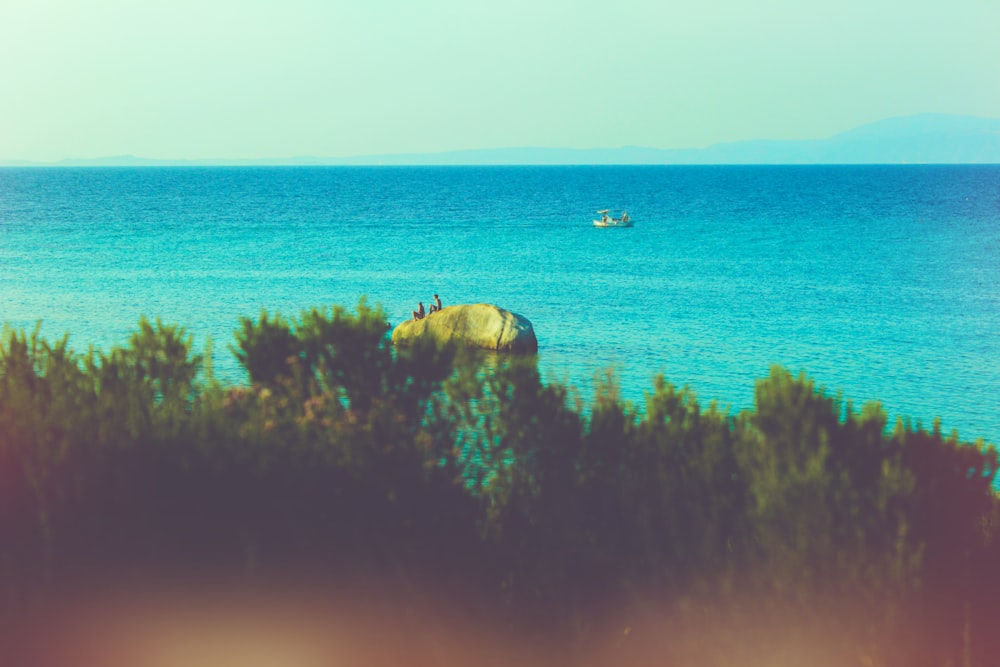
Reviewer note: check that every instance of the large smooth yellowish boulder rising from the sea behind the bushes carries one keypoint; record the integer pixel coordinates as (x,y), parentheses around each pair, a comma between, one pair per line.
(480,325)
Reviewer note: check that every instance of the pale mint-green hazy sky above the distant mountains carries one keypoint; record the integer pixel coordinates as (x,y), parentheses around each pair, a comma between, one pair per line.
(191,79)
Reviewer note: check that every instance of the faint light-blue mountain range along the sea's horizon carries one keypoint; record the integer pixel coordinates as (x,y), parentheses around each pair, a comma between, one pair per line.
(919,139)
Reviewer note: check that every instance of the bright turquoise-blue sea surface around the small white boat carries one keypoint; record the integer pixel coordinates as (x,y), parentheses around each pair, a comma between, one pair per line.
(881,282)
